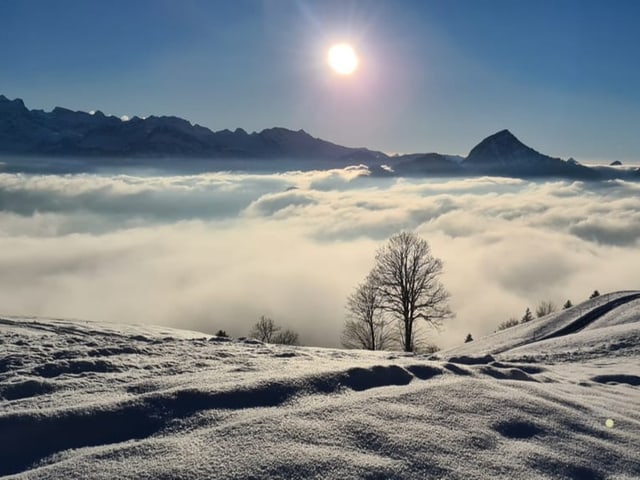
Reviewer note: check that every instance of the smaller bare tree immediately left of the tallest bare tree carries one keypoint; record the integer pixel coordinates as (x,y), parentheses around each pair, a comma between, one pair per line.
(366,327)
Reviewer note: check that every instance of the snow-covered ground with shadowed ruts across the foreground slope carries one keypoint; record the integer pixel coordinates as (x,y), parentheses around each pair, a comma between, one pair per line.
(558,397)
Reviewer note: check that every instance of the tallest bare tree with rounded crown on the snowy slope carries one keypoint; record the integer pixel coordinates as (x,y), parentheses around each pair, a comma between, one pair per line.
(406,275)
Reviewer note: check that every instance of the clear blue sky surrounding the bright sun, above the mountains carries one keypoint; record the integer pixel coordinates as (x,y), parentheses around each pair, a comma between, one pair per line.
(563,75)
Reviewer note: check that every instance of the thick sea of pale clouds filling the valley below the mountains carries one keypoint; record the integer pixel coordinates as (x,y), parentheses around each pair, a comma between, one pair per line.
(219,250)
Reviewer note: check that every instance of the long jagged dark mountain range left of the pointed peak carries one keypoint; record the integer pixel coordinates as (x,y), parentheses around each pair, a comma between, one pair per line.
(64,132)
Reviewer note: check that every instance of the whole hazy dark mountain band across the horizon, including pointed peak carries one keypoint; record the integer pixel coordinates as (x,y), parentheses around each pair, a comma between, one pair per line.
(94,139)
